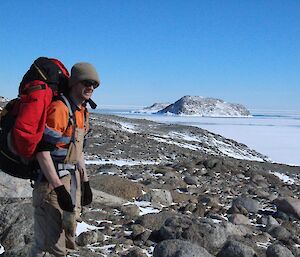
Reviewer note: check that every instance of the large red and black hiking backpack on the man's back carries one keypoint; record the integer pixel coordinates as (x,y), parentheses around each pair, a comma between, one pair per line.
(23,119)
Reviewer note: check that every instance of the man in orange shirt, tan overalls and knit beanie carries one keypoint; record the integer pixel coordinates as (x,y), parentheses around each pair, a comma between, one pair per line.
(63,185)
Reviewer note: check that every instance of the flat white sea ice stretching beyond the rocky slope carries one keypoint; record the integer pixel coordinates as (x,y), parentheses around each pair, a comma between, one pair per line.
(276,136)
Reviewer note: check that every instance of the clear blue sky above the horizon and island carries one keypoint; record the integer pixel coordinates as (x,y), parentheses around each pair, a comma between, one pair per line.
(146,51)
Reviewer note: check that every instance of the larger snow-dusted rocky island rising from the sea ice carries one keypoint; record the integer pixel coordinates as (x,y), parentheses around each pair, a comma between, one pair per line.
(201,106)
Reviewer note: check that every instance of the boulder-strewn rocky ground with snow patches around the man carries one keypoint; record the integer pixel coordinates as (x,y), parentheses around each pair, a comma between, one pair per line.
(170,191)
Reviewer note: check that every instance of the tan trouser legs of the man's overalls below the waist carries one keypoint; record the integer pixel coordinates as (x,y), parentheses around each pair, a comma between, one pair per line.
(50,239)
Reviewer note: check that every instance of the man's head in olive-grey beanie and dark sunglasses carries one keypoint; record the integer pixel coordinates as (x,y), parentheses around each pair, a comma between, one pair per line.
(83,80)
